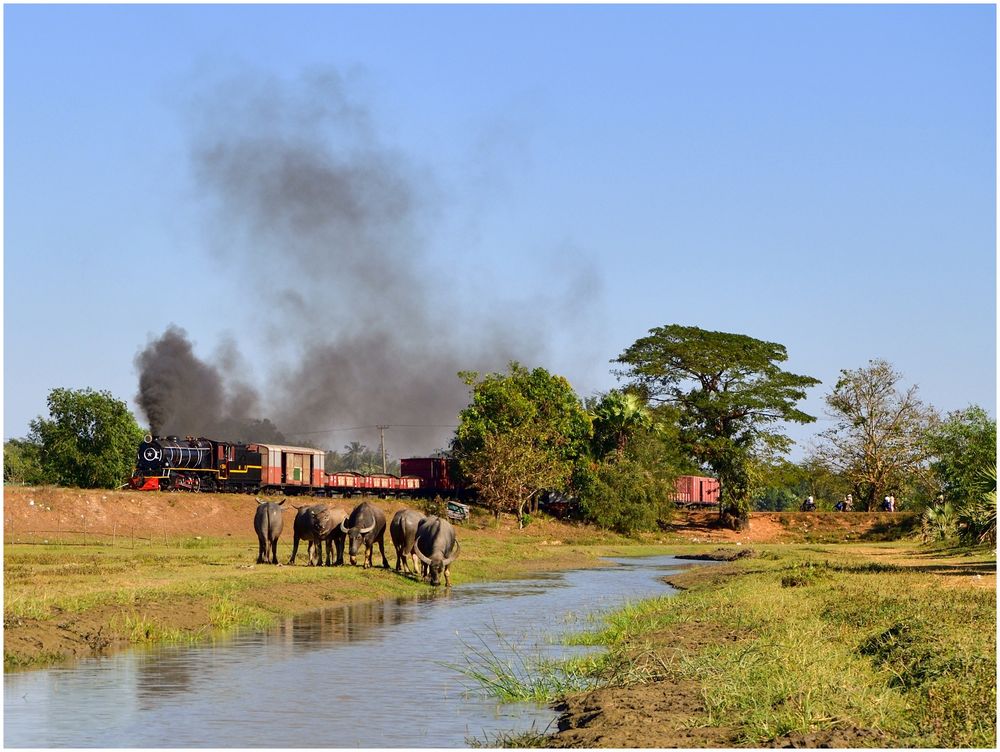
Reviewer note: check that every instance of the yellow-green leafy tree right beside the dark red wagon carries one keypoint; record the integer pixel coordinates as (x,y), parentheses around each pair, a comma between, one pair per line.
(533,410)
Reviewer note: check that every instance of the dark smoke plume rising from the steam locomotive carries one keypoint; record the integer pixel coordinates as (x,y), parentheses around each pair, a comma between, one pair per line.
(327,226)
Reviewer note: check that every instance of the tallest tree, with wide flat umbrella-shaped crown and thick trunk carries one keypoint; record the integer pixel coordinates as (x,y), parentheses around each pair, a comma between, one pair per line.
(730,393)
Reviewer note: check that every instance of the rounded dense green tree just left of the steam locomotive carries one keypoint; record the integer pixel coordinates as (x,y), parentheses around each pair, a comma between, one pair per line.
(89,439)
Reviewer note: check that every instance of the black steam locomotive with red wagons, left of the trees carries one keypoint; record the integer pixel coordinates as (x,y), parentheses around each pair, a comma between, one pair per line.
(198,464)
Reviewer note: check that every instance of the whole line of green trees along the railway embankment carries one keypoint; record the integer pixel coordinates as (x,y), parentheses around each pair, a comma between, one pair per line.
(692,401)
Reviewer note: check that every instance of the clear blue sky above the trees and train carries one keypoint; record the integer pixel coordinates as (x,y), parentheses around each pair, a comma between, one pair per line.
(569,176)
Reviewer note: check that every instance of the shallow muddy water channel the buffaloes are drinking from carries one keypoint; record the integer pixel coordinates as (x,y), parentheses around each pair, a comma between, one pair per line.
(371,674)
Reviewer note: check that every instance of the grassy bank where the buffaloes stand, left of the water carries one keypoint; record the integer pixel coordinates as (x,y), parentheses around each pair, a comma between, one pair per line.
(65,599)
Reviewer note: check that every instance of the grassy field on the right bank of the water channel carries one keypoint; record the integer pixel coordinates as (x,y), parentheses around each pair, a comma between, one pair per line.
(877,646)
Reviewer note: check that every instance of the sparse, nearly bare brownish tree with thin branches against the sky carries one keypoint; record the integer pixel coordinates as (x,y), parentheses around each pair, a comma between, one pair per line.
(878,439)
